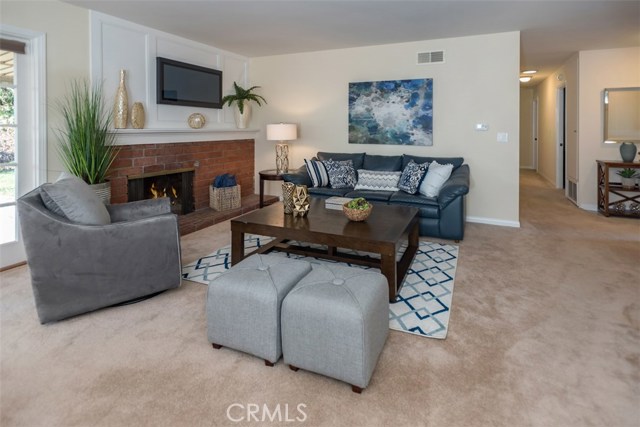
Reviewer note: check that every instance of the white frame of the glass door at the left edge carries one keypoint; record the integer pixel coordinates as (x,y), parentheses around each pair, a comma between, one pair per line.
(32,126)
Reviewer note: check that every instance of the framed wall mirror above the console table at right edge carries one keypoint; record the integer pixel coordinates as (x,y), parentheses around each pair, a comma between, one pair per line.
(622,114)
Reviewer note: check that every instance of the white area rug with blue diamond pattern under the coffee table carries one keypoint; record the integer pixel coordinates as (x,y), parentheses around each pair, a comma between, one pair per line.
(422,307)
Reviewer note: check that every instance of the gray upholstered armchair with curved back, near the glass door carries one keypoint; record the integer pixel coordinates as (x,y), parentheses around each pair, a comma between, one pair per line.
(78,267)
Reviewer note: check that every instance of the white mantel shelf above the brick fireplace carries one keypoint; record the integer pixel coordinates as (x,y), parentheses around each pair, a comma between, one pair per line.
(166,136)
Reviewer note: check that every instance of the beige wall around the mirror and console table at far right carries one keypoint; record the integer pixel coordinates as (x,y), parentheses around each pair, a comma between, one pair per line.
(600,69)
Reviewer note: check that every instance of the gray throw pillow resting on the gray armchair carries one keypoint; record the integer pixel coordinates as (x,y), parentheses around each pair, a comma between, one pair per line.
(73,199)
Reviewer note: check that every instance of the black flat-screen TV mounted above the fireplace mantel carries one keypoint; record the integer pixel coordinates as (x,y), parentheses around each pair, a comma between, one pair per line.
(179,83)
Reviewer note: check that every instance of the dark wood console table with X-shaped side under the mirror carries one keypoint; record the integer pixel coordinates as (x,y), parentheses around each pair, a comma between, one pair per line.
(606,189)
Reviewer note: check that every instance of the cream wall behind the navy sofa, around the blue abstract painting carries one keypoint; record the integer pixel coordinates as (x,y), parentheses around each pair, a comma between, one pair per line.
(311,89)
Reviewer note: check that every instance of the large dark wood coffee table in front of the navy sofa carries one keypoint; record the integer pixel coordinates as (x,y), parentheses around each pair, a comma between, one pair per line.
(383,233)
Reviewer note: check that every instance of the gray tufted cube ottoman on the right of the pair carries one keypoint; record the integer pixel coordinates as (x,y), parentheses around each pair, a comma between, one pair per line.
(335,323)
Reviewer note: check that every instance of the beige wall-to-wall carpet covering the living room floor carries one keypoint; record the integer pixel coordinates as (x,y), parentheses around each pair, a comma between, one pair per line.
(545,331)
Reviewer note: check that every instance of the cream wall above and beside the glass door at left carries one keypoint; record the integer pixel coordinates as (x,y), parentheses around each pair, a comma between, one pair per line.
(67,34)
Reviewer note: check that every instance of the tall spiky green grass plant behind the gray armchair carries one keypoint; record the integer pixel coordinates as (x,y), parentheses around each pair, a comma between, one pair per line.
(87,145)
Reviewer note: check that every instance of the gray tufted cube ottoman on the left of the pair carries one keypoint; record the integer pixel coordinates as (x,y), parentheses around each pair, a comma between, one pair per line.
(243,304)
